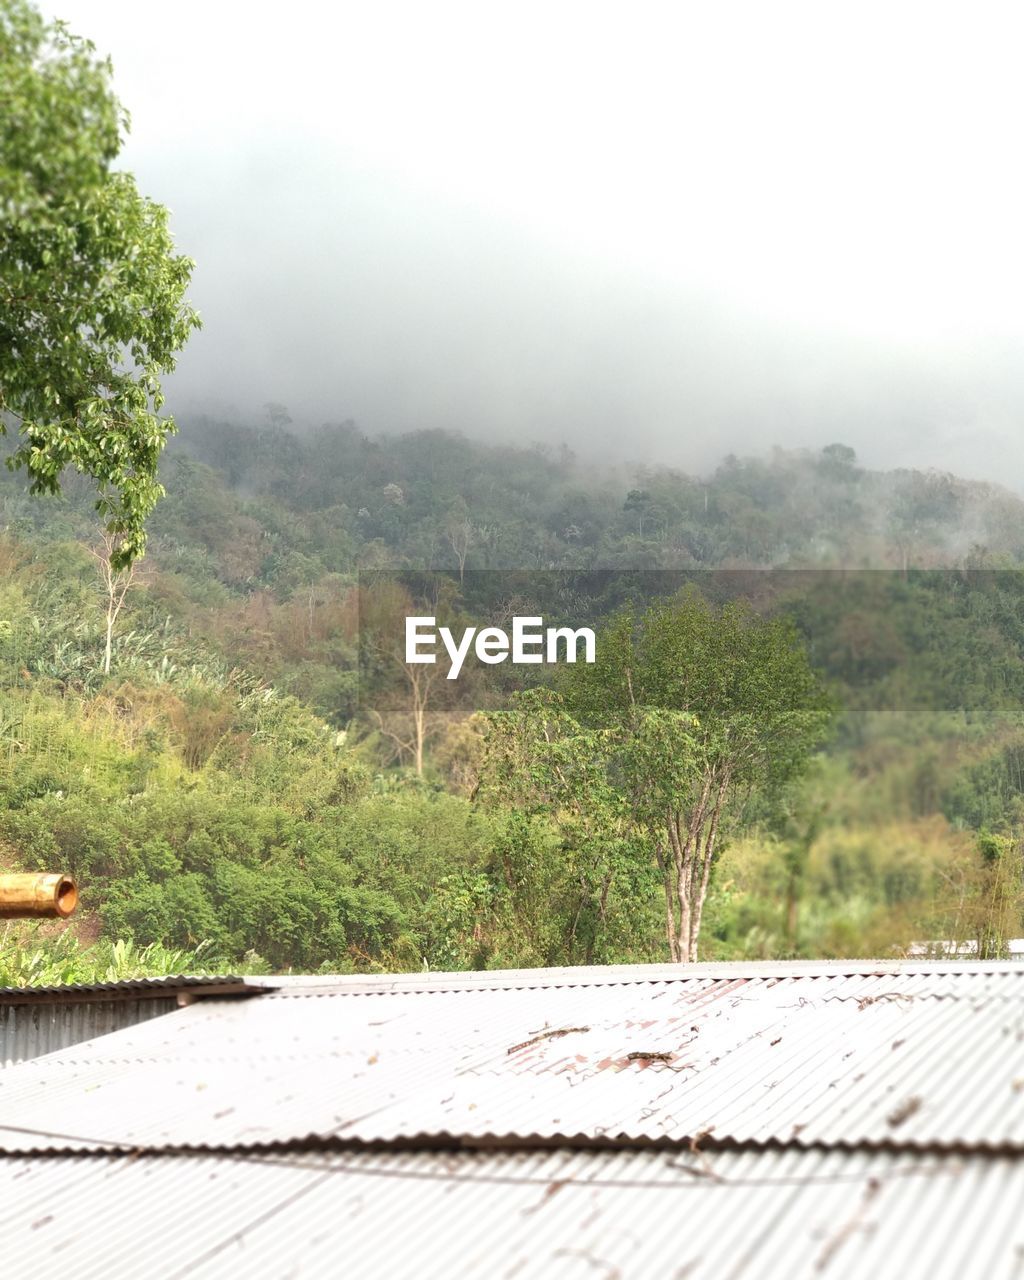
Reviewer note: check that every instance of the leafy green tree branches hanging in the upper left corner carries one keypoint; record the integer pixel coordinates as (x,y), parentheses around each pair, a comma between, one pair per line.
(93,296)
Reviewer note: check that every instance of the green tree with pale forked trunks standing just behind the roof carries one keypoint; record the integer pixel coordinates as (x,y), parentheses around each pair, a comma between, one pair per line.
(642,757)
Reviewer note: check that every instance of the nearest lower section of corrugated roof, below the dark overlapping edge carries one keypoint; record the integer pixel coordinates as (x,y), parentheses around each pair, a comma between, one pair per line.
(569,1215)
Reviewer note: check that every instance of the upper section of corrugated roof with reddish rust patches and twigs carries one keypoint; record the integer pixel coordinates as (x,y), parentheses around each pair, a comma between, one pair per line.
(925,1057)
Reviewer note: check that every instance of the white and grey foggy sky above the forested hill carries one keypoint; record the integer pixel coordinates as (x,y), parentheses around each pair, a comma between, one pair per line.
(652,232)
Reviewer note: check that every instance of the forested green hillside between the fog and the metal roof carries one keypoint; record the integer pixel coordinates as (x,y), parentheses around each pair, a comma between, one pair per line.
(217,743)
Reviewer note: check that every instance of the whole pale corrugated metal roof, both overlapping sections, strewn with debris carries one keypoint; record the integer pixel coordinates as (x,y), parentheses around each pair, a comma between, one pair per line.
(700,1121)
